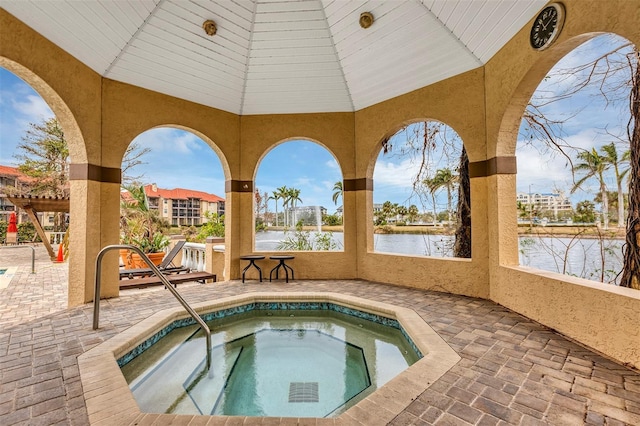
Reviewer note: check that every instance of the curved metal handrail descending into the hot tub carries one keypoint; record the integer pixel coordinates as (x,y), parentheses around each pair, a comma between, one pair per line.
(165,281)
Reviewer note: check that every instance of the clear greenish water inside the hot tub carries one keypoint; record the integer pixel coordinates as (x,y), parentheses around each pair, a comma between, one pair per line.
(300,363)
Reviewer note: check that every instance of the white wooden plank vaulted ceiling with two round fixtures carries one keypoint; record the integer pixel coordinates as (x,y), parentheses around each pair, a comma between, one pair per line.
(278,56)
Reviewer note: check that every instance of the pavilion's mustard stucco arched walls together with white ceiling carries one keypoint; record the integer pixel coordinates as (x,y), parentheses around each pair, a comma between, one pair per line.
(276,71)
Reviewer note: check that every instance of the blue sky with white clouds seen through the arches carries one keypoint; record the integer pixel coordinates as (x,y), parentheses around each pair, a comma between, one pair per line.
(312,169)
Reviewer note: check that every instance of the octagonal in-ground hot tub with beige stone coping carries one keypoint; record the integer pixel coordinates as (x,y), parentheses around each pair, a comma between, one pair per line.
(108,394)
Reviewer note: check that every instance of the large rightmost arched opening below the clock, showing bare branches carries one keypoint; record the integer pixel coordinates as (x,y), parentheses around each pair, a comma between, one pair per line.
(572,153)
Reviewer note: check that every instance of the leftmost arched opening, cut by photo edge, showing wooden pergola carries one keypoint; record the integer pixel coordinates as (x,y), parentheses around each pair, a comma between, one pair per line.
(40,138)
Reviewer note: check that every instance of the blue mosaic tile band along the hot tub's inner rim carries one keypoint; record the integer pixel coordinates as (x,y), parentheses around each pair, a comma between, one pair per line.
(268,306)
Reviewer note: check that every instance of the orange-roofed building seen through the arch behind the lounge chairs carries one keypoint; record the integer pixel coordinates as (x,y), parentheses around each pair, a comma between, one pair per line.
(183,207)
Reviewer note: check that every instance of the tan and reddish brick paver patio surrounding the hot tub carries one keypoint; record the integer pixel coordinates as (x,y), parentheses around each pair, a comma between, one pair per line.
(513,370)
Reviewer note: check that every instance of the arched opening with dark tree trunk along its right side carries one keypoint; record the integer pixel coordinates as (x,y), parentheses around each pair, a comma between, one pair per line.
(416,198)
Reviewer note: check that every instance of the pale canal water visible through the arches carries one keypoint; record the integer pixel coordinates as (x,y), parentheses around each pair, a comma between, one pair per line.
(590,258)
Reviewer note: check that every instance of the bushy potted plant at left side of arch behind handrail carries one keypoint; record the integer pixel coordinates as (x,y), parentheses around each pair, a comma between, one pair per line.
(142,227)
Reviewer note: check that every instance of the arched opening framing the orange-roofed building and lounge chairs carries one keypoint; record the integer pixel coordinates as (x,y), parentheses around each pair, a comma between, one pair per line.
(173,186)
